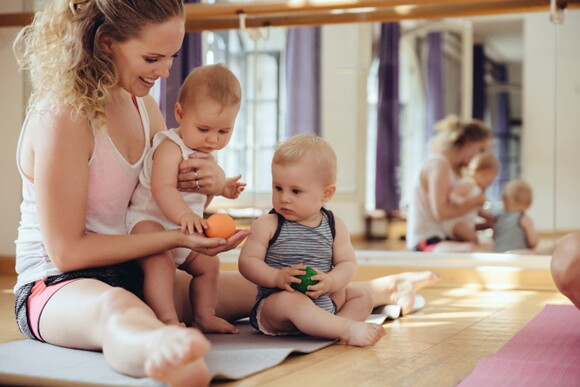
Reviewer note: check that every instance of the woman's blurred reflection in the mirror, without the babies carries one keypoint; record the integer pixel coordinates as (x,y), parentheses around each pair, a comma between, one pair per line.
(452,148)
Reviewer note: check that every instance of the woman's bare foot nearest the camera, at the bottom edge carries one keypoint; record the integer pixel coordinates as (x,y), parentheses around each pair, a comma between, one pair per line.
(176,357)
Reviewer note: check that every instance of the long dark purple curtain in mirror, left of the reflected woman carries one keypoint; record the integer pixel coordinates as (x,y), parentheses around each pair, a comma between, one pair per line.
(387,192)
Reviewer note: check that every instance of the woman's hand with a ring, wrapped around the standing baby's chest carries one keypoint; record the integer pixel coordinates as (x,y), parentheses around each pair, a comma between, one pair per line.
(200,173)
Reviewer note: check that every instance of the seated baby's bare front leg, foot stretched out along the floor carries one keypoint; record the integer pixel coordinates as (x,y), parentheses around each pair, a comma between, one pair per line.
(290,311)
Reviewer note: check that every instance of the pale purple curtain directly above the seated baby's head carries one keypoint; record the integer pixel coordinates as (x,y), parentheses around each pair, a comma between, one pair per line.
(303,81)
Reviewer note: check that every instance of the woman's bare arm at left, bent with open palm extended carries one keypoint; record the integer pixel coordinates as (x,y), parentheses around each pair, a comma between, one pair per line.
(61,150)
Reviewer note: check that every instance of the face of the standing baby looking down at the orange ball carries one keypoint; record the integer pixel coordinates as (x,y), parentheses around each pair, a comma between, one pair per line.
(207,126)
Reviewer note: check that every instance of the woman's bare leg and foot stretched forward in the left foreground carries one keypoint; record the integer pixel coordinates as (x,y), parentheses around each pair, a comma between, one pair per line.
(88,314)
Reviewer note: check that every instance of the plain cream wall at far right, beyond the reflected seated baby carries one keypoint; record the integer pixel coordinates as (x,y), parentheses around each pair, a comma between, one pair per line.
(542,91)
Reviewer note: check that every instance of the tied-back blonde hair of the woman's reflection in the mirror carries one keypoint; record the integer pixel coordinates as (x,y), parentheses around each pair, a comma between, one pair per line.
(453,133)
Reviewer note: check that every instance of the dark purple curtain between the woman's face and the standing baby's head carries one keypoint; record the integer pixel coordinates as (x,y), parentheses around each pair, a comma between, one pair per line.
(190,56)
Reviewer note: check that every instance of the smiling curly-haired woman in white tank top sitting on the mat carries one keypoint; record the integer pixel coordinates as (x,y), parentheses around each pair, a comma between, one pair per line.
(89,122)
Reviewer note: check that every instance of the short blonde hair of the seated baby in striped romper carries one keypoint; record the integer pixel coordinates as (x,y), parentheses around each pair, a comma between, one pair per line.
(313,149)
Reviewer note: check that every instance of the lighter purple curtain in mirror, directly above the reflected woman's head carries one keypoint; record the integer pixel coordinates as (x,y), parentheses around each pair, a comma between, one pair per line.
(435,109)
